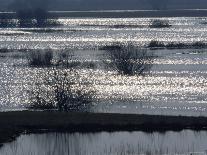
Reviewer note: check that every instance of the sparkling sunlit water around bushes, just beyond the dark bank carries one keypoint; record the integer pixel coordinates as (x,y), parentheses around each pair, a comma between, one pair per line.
(175,85)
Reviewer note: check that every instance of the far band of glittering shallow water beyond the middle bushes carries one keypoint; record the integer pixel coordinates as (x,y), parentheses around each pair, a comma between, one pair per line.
(91,32)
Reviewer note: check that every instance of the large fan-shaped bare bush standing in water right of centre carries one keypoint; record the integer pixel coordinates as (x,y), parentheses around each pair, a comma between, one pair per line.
(129,59)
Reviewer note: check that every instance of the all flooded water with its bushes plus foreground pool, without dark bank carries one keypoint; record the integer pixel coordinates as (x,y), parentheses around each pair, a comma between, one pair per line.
(155,66)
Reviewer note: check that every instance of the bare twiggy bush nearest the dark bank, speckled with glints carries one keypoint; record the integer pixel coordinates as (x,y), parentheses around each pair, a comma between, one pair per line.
(61,91)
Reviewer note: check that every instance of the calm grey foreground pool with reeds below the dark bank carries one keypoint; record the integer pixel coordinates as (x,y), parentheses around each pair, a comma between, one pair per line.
(125,143)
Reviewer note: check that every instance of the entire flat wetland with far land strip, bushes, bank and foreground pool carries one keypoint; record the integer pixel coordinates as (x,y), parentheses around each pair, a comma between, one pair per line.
(104,77)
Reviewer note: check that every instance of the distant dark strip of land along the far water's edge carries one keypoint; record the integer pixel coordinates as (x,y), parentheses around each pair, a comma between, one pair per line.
(124,14)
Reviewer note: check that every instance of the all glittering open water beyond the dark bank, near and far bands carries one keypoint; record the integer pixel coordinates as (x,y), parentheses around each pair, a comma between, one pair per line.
(176,84)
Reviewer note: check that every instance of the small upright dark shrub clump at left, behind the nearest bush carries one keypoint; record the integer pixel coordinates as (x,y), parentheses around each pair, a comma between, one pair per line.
(40,58)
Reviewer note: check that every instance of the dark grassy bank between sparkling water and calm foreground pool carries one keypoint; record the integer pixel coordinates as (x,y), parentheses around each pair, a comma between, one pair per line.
(14,123)
